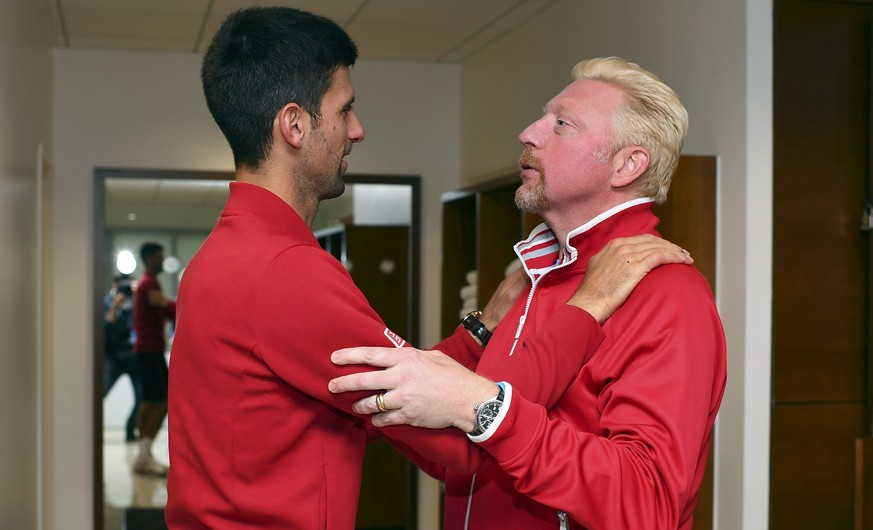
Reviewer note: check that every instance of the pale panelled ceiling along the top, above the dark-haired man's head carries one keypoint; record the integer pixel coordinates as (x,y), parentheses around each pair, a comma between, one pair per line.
(435,31)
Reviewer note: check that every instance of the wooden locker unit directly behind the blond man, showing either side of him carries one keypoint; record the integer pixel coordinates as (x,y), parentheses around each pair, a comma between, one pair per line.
(687,218)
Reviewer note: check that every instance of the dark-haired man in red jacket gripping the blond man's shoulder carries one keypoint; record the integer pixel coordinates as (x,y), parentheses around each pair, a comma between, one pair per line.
(256,438)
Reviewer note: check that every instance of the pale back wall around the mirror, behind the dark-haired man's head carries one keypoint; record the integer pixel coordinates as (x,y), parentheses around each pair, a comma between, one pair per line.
(146,110)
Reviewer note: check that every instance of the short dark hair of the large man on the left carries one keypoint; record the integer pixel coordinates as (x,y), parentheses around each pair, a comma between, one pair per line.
(261,59)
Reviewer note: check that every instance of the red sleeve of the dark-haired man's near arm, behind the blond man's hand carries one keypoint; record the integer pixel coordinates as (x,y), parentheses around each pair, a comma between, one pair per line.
(297,344)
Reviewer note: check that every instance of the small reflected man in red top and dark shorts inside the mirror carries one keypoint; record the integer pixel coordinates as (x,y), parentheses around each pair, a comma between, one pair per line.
(151,310)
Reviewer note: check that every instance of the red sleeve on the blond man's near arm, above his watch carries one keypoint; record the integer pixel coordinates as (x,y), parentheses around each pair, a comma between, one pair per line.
(658,384)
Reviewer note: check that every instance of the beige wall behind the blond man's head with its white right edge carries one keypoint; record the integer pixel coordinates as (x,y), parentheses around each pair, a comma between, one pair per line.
(717,56)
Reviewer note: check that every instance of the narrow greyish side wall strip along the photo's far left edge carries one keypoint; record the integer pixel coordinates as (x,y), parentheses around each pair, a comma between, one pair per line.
(25,123)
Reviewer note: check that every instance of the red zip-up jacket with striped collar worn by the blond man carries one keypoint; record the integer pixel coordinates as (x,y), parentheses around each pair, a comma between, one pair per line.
(625,446)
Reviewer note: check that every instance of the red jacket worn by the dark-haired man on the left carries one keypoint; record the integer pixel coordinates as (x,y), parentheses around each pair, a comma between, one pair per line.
(256,439)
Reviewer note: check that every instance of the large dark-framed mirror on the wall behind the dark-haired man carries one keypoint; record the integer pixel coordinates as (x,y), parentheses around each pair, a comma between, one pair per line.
(373,229)
